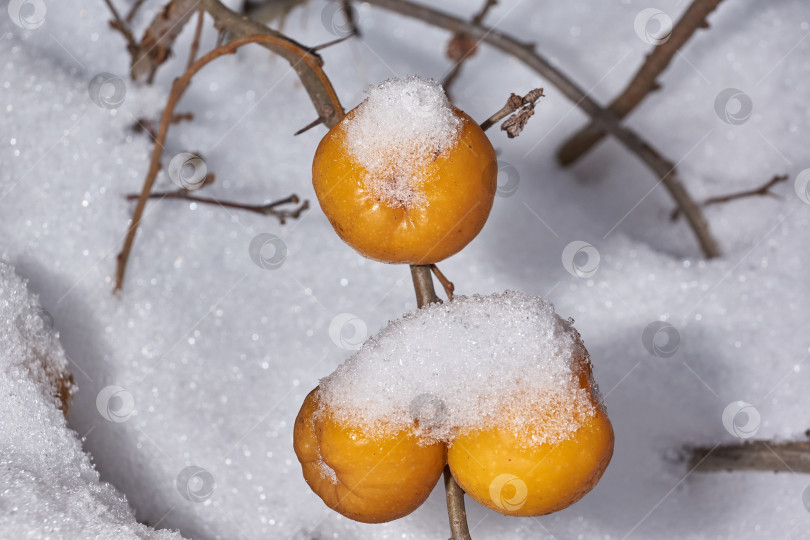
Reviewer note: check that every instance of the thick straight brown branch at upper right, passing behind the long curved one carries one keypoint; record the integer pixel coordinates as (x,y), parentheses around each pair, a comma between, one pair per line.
(643,82)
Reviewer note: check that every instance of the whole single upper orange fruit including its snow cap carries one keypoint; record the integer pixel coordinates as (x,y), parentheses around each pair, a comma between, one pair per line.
(418,198)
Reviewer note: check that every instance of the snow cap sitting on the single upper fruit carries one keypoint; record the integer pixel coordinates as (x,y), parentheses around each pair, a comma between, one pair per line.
(401,126)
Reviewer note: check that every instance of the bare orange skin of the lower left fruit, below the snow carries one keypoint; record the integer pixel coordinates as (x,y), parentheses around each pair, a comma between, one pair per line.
(379,479)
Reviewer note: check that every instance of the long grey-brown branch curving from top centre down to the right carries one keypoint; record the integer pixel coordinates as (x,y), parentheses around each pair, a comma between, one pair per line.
(664,169)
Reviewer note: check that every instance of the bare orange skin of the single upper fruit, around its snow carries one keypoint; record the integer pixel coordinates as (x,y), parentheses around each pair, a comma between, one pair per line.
(459,186)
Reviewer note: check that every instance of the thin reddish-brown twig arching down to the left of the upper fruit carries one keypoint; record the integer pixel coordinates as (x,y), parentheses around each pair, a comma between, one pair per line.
(178,88)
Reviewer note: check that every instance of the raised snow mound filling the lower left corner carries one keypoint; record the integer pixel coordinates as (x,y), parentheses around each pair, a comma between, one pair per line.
(49,487)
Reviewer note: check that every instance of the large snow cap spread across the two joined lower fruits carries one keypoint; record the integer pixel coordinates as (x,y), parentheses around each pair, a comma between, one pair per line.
(506,359)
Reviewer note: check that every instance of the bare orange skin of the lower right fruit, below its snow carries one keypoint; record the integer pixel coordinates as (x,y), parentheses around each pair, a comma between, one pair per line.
(501,469)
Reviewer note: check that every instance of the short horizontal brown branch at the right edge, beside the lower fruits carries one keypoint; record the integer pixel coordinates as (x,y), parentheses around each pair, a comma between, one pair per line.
(754,456)
